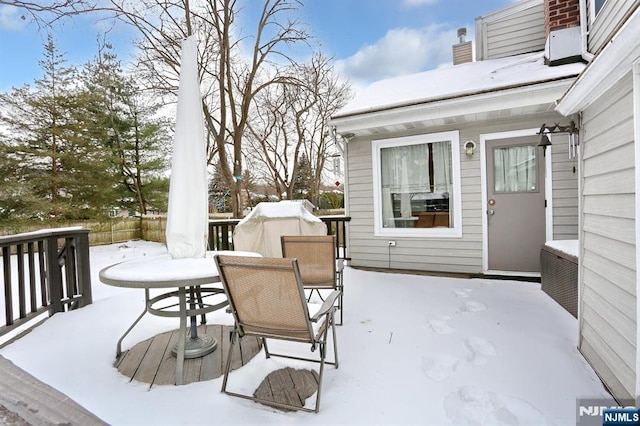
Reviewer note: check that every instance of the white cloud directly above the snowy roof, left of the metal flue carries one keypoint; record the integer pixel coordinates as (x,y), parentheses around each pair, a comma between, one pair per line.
(401,51)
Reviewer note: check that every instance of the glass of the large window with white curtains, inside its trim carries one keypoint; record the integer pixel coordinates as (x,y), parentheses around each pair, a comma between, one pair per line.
(416,184)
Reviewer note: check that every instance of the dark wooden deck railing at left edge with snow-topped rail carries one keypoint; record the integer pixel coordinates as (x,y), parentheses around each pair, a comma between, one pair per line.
(43,271)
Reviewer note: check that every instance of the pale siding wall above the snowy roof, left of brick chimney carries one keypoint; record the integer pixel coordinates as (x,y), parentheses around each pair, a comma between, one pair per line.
(513,30)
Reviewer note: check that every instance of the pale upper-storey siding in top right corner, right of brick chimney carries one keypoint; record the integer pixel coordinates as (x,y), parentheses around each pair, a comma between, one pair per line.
(602,27)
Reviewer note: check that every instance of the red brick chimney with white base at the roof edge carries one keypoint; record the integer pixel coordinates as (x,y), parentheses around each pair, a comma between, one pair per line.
(562,27)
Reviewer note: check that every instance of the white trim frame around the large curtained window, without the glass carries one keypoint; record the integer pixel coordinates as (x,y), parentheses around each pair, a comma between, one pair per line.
(455,198)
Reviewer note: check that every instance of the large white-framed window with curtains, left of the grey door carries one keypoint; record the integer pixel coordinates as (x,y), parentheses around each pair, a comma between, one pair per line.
(417,186)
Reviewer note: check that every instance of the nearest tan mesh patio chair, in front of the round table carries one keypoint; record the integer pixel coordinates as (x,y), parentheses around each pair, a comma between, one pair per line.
(267,300)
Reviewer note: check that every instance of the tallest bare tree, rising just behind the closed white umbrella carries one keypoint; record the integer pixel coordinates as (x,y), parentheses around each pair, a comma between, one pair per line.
(231,79)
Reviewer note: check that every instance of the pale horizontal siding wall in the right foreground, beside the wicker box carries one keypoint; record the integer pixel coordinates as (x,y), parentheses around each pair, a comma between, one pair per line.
(608,258)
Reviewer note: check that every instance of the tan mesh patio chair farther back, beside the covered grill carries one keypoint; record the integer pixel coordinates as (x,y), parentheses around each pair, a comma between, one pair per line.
(319,268)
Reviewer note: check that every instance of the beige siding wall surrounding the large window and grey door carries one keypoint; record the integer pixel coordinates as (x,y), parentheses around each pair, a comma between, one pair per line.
(464,254)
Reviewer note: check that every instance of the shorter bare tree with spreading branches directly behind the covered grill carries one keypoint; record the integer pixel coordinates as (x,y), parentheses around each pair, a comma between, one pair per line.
(290,126)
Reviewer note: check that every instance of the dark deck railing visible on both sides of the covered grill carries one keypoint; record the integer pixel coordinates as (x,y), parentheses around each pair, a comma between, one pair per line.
(221,233)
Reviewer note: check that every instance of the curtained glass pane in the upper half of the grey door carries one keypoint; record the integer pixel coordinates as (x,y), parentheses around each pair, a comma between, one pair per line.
(515,169)
